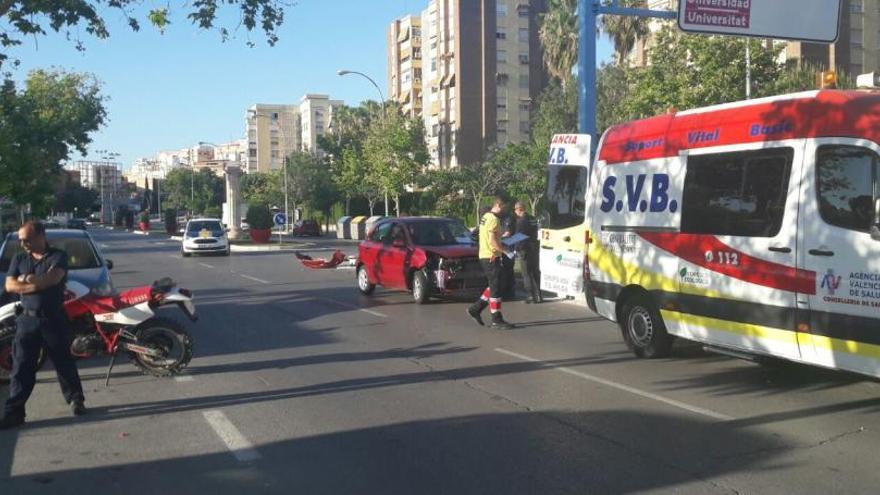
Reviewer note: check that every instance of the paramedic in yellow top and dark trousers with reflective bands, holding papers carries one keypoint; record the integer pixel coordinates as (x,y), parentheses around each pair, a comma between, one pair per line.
(491,254)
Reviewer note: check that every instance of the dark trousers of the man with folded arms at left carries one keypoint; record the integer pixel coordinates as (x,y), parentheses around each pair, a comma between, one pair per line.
(31,334)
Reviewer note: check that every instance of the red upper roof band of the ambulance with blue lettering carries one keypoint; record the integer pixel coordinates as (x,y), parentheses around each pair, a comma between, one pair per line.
(826,113)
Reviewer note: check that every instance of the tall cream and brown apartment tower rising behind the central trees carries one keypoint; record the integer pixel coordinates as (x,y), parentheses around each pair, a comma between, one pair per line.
(480,72)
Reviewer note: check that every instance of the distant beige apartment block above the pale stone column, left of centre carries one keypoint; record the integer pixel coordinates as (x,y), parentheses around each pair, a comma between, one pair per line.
(273,132)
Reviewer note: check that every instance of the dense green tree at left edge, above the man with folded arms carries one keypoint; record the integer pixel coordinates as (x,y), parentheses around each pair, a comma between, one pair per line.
(39,127)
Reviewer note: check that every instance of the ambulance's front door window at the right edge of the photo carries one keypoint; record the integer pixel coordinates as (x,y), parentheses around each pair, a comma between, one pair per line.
(847,182)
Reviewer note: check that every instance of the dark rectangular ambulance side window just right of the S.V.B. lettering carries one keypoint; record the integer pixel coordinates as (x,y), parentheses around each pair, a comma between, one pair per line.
(736,194)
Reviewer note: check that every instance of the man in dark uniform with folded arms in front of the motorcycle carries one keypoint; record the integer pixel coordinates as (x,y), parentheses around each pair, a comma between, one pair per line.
(38,275)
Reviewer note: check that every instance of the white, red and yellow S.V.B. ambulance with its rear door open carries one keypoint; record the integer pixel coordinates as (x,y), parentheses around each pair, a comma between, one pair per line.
(751,227)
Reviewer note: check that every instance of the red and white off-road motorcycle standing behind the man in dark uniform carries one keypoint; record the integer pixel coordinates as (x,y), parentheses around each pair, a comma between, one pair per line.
(123,323)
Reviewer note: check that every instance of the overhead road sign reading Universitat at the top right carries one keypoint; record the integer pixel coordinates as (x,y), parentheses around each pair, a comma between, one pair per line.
(804,20)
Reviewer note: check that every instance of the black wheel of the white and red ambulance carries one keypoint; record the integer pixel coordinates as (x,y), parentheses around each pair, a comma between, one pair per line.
(643,329)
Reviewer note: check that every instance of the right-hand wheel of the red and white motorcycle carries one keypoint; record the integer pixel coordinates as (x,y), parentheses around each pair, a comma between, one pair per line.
(170,339)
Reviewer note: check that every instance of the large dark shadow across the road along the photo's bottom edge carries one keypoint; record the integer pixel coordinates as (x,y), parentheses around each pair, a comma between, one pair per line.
(614,451)
